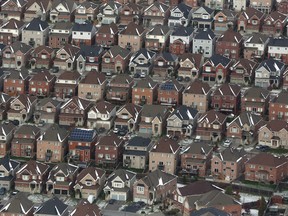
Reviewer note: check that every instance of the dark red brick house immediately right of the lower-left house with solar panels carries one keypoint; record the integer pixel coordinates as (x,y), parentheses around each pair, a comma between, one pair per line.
(109,151)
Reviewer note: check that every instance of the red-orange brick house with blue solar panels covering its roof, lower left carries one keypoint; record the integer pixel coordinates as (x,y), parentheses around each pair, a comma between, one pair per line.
(81,144)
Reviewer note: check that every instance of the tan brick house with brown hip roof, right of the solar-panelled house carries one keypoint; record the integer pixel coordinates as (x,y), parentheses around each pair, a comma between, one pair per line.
(197,95)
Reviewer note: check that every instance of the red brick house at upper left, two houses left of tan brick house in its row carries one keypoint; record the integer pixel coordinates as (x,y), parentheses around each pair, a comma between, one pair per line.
(42,84)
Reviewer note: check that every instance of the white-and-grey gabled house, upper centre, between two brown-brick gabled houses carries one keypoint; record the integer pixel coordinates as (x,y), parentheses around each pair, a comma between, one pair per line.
(142,62)
